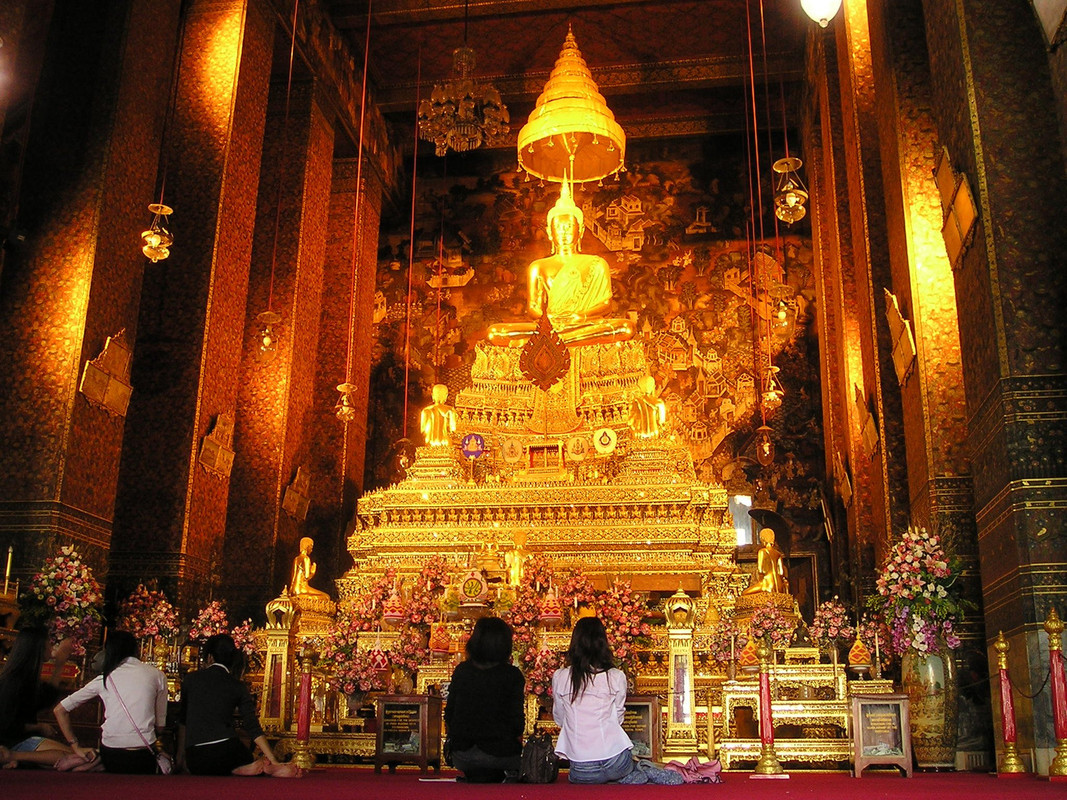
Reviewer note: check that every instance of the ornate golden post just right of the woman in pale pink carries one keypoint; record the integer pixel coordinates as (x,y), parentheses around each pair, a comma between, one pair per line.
(681,712)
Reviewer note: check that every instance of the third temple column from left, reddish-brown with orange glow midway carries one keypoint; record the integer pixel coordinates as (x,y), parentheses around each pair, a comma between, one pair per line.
(273,438)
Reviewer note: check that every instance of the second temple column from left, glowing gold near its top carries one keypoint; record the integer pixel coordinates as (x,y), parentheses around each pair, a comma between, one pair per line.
(171,509)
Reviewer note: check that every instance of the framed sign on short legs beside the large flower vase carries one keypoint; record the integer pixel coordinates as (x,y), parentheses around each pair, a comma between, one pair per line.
(882,732)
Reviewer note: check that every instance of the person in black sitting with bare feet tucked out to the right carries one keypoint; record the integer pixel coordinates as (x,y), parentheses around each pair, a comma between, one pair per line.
(208,743)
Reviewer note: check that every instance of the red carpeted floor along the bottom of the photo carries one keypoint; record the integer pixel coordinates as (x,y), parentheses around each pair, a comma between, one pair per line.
(363,785)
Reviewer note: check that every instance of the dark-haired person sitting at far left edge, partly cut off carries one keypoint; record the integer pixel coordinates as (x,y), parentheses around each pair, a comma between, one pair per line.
(23,695)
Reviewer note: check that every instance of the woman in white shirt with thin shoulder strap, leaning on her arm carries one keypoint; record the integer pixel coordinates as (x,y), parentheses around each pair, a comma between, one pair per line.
(124,680)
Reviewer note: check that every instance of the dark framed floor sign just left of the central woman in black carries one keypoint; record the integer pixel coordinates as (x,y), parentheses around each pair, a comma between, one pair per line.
(409,732)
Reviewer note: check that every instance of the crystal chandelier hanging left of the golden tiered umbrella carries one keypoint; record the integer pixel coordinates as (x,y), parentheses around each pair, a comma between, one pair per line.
(461,115)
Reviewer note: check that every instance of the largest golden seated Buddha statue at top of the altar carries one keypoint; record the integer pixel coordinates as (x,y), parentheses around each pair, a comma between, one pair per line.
(576,287)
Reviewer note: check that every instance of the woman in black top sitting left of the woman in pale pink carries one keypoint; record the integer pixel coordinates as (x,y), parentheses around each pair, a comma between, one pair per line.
(485,715)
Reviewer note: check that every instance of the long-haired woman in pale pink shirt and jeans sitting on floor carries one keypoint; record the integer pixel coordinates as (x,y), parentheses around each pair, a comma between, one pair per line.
(590,699)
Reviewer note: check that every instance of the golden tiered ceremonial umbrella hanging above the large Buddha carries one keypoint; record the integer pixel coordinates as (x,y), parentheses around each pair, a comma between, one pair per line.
(571,133)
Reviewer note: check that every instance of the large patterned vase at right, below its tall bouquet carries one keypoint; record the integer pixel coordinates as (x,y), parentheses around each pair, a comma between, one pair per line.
(930,682)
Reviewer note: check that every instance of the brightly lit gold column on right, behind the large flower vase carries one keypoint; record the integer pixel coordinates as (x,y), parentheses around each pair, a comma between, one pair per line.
(932,381)
